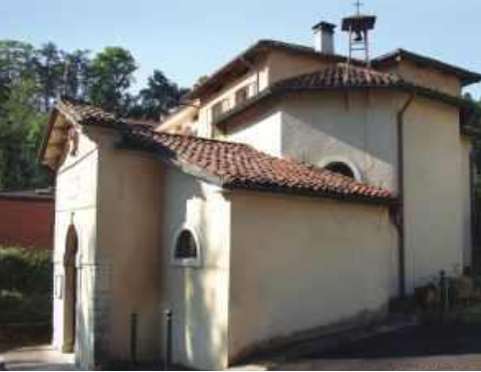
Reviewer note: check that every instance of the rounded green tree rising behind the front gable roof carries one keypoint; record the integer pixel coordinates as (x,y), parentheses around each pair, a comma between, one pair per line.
(112,76)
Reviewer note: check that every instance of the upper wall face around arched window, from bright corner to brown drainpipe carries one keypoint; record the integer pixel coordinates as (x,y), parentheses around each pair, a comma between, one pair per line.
(358,128)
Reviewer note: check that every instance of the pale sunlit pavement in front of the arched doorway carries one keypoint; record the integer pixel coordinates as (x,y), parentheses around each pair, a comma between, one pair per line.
(37,358)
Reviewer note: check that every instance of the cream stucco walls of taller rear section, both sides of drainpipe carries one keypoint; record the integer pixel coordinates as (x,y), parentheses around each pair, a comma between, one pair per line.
(361,129)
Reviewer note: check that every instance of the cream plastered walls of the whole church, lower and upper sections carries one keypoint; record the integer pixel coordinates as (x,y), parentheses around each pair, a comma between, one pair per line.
(272,268)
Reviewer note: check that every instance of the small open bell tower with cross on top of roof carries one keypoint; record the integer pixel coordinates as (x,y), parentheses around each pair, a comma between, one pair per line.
(359,27)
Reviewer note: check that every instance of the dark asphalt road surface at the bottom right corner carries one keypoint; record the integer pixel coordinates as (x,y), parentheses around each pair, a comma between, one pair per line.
(415,349)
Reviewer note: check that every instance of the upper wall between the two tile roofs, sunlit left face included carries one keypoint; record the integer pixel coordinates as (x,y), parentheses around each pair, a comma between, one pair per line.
(357,129)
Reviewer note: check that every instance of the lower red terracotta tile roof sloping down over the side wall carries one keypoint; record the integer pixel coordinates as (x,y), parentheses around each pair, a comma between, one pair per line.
(239,166)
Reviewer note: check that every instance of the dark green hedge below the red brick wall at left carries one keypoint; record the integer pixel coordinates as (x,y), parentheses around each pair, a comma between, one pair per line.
(25,286)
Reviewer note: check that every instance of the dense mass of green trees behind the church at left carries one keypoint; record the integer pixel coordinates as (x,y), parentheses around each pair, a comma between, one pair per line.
(32,79)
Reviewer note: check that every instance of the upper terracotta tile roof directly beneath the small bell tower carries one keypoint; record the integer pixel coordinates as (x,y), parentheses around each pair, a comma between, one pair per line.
(341,76)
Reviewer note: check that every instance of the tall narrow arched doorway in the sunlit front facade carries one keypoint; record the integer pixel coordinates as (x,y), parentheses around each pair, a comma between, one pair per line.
(71,288)
